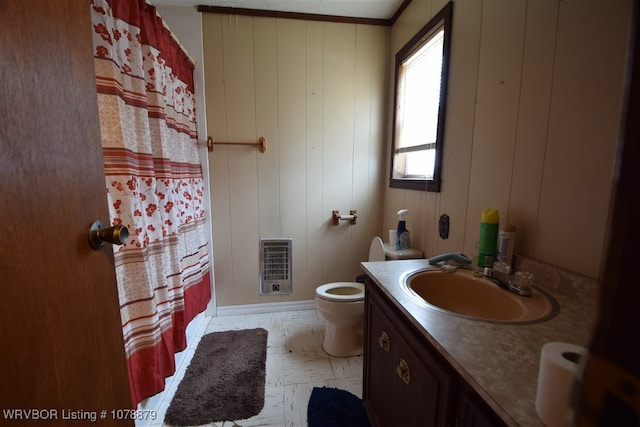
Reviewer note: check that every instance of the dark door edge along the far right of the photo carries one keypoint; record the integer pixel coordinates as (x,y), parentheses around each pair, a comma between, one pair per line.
(610,393)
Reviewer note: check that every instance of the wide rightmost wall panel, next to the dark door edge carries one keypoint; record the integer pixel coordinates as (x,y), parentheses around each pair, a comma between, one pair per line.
(584,124)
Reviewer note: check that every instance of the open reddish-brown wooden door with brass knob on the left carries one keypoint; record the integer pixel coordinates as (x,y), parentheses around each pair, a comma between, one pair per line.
(61,346)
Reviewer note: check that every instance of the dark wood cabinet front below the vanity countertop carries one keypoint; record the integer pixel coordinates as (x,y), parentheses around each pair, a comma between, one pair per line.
(406,381)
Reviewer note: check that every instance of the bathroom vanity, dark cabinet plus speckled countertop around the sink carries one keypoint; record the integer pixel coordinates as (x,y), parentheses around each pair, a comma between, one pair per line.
(424,367)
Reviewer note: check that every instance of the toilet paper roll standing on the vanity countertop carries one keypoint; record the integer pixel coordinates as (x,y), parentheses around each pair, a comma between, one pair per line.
(558,366)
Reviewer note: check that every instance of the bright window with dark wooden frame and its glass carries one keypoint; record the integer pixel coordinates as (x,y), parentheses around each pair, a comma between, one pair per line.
(420,104)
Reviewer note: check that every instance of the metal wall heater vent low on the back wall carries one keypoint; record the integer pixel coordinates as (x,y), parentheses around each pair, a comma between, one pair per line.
(275,266)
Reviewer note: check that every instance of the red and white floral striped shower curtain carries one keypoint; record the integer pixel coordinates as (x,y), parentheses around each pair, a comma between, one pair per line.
(154,185)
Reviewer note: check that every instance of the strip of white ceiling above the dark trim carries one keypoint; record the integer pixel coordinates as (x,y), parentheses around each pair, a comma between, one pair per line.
(368,9)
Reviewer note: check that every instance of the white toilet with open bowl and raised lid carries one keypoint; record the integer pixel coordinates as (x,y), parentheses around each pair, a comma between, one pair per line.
(342,306)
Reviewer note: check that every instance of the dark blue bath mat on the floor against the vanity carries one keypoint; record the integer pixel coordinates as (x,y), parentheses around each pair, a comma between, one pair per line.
(332,407)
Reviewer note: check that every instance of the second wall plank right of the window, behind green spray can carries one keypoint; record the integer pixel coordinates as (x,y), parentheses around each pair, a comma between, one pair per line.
(499,75)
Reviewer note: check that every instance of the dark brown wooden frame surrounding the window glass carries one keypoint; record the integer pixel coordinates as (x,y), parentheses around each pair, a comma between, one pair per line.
(444,18)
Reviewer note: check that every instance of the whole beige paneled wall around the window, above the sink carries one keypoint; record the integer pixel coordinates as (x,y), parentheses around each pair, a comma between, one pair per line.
(535,96)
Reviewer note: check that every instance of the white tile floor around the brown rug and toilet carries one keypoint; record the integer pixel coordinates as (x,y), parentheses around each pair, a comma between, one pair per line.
(295,364)
